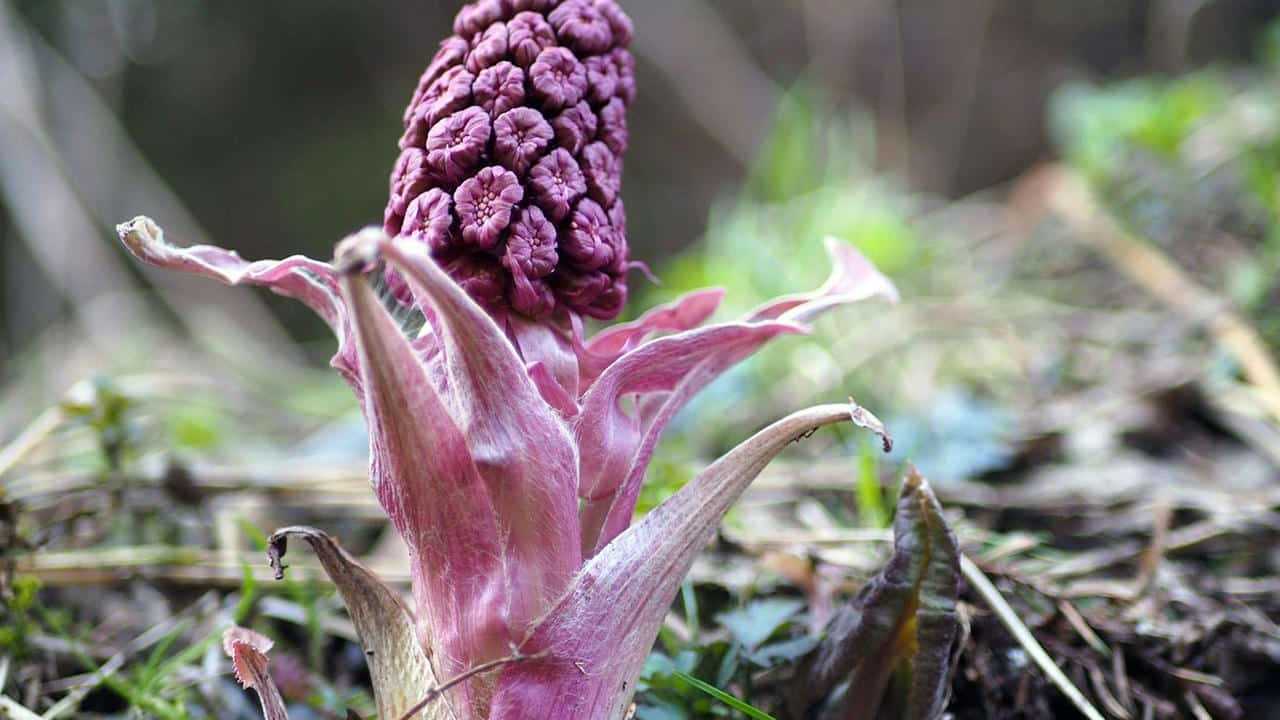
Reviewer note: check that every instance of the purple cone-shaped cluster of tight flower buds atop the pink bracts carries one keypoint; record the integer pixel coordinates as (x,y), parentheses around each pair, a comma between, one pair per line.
(511,162)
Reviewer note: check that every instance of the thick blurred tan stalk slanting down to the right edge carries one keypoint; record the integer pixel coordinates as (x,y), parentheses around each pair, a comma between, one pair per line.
(1142,263)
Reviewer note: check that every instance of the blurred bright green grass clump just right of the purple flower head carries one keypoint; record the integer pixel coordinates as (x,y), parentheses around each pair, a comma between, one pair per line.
(812,180)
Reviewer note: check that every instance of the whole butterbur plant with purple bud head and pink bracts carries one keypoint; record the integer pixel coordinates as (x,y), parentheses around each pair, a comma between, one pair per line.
(508,448)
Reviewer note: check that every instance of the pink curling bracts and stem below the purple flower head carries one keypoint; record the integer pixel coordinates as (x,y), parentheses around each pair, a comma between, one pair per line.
(510,455)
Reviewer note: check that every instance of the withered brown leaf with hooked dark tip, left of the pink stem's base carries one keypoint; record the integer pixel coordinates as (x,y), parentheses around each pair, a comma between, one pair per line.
(399,667)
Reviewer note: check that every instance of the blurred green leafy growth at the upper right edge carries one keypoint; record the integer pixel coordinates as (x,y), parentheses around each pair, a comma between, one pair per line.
(1194,165)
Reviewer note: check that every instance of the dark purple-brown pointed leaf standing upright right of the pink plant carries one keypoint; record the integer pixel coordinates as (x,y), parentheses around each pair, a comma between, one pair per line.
(886,655)
